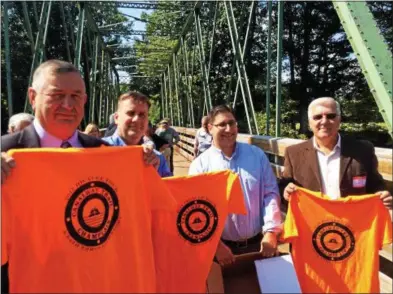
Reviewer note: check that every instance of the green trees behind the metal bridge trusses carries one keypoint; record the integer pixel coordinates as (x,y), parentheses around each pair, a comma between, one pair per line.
(317,60)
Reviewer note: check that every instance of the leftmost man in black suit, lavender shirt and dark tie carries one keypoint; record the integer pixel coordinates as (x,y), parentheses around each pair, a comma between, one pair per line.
(57,96)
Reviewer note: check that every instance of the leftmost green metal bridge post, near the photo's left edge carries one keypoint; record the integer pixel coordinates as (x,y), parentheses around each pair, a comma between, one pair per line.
(7,58)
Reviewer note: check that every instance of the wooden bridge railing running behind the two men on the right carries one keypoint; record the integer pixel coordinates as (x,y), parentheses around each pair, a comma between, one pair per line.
(276,146)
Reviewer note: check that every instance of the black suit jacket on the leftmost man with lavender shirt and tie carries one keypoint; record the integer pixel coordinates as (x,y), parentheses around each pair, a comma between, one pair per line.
(28,138)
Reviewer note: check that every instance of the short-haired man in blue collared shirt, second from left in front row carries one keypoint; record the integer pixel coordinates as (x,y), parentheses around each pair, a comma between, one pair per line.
(132,121)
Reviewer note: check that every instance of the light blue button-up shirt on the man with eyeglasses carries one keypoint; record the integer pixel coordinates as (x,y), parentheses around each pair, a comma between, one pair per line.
(259,187)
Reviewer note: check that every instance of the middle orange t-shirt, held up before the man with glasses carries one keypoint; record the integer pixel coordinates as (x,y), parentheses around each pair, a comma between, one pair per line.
(186,241)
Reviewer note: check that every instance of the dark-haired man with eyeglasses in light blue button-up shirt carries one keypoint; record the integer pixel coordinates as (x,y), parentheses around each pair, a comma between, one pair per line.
(256,231)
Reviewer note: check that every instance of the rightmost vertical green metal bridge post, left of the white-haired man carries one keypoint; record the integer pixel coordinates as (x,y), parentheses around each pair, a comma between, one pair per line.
(279,67)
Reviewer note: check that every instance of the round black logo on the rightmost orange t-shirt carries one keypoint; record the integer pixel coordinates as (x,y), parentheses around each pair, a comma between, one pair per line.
(333,241)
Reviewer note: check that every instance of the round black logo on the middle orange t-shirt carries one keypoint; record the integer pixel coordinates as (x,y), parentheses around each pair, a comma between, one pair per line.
(197,221)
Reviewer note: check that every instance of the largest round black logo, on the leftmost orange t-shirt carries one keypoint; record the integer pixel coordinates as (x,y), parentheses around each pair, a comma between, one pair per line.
(91,213)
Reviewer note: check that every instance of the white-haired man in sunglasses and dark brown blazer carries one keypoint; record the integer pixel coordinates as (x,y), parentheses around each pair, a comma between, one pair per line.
(337,166)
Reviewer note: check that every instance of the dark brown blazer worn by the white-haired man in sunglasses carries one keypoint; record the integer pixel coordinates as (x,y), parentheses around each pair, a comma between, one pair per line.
(357,159)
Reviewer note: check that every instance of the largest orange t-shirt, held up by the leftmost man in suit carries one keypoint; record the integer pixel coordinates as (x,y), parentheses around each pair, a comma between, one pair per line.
(79,220)
